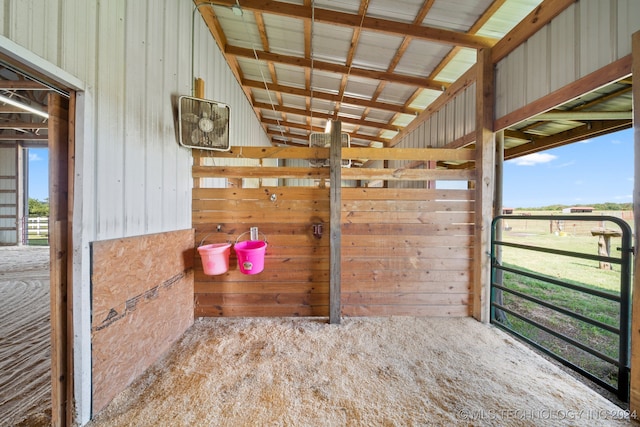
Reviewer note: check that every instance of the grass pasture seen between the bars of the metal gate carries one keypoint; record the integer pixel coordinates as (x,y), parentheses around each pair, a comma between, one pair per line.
(573,236)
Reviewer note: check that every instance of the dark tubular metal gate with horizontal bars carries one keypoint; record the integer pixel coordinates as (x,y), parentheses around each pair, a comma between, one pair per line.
(538,307)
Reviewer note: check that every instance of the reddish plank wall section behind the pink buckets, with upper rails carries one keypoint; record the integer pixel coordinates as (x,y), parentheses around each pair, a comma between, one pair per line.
(295,279)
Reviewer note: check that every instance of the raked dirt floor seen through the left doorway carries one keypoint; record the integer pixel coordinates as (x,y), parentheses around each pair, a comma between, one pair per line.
(25,349)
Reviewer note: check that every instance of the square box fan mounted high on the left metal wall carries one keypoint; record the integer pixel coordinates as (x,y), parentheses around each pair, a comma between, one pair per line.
(203,124)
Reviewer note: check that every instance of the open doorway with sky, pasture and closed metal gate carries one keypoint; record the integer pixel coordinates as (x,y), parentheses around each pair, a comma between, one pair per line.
(573,199)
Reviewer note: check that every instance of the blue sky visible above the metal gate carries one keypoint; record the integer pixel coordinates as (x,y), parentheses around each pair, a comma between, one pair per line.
(598,170)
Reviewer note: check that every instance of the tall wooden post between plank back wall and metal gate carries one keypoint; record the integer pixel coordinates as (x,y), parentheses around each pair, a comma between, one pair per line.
(485,172)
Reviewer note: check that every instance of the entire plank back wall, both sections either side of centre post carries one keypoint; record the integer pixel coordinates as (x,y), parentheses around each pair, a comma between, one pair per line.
(405,251)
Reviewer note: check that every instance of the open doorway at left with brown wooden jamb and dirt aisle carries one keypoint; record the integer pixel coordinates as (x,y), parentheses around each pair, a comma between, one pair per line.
(36,113)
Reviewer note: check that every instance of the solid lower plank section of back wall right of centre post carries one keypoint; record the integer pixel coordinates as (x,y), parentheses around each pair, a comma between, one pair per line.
(406,252)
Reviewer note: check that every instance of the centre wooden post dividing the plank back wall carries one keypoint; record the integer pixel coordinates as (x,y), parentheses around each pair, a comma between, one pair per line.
(335,158)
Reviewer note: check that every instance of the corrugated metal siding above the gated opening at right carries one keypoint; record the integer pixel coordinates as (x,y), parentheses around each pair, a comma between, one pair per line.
(584,38)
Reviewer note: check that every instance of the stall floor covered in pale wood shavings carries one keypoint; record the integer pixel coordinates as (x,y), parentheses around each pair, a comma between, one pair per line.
(397,371)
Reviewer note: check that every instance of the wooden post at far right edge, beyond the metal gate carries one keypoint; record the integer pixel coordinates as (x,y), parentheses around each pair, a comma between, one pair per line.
(634,390)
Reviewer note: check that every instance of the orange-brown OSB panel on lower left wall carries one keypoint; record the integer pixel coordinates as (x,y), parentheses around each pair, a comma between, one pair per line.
(142,301)
